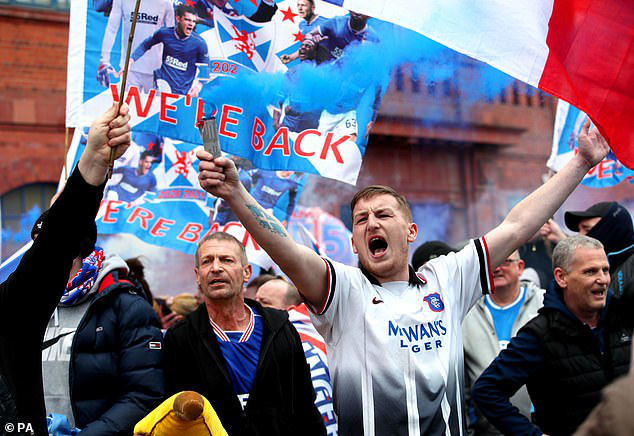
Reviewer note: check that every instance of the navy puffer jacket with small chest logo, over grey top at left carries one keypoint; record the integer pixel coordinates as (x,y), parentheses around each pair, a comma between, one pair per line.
(116,374)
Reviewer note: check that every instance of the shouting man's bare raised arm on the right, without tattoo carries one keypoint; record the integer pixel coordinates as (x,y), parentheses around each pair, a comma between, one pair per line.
(533,211)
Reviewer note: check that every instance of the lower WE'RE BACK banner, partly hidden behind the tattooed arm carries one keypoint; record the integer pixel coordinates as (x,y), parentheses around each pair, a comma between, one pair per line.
(154,194)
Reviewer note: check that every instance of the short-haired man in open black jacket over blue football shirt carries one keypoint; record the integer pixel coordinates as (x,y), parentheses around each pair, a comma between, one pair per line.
(247,360)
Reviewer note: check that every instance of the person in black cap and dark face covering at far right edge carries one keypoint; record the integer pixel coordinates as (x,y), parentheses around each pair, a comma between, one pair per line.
(611,224)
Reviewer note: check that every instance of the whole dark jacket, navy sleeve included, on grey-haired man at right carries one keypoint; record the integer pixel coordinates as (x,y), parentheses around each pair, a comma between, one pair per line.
(560,361)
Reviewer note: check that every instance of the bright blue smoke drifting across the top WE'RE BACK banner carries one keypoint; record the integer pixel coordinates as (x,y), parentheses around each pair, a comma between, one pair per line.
(363,67)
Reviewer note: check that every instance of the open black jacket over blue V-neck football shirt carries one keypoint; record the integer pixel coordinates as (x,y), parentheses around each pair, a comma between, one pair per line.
(281,401)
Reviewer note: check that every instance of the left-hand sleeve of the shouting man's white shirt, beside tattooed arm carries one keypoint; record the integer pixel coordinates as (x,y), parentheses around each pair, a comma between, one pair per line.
(342,287)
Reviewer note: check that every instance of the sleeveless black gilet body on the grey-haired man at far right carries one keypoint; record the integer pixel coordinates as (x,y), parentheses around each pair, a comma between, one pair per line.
(575,370)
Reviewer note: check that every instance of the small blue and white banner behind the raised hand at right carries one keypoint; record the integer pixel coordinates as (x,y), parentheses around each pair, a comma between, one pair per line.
(568,123)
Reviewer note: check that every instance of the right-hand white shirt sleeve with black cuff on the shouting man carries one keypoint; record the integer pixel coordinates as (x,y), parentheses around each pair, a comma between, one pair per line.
(464,276)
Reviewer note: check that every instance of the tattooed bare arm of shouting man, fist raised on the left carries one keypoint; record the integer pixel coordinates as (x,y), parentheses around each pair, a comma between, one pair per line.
(305,268)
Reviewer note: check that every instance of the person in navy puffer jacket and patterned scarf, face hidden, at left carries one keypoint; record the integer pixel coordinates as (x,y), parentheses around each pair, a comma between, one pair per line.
(101,355)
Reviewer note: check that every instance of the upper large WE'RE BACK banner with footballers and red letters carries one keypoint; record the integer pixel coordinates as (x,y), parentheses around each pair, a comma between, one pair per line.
(288,82)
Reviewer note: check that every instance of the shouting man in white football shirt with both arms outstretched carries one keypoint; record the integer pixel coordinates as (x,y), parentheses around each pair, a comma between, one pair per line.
(393,335)
